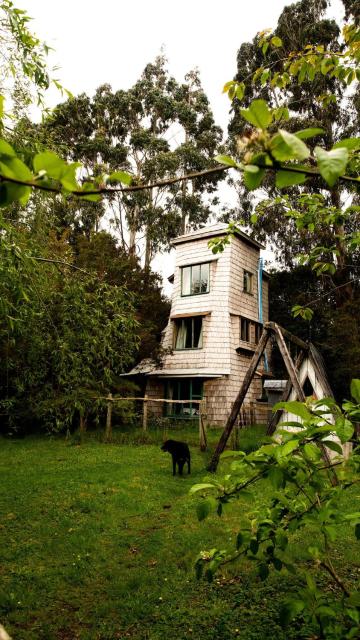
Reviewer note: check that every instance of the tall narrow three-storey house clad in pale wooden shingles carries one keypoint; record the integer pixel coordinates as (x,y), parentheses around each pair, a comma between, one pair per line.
(219,303)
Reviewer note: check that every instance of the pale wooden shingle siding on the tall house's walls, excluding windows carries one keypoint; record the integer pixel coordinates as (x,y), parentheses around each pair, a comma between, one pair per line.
(226,301)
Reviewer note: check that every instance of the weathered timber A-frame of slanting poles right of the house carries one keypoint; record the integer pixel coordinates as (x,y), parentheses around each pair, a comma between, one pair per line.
(306,350)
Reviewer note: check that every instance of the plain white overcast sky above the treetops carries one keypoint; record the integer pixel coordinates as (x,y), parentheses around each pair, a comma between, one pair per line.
(112,41)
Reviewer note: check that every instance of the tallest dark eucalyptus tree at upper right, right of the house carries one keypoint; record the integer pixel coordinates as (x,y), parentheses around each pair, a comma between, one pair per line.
(268,68)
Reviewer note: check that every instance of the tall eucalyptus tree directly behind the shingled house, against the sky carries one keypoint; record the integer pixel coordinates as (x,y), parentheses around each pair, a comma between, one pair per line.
(154,130)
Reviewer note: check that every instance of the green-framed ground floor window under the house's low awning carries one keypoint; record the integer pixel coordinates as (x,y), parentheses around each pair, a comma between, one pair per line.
(187,389)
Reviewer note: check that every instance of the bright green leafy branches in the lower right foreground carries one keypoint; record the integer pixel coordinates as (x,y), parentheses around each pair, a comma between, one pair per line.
(302,495)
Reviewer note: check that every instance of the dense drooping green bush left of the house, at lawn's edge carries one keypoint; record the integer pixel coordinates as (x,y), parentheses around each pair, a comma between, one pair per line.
(64,336)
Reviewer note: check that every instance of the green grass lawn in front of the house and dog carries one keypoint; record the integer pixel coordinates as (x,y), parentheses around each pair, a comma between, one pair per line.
(98,543)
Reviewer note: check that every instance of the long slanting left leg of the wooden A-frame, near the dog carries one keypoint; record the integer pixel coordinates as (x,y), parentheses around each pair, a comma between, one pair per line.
(239,399)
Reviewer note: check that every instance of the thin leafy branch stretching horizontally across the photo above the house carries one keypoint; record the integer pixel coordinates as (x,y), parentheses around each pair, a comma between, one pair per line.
(264,153)
